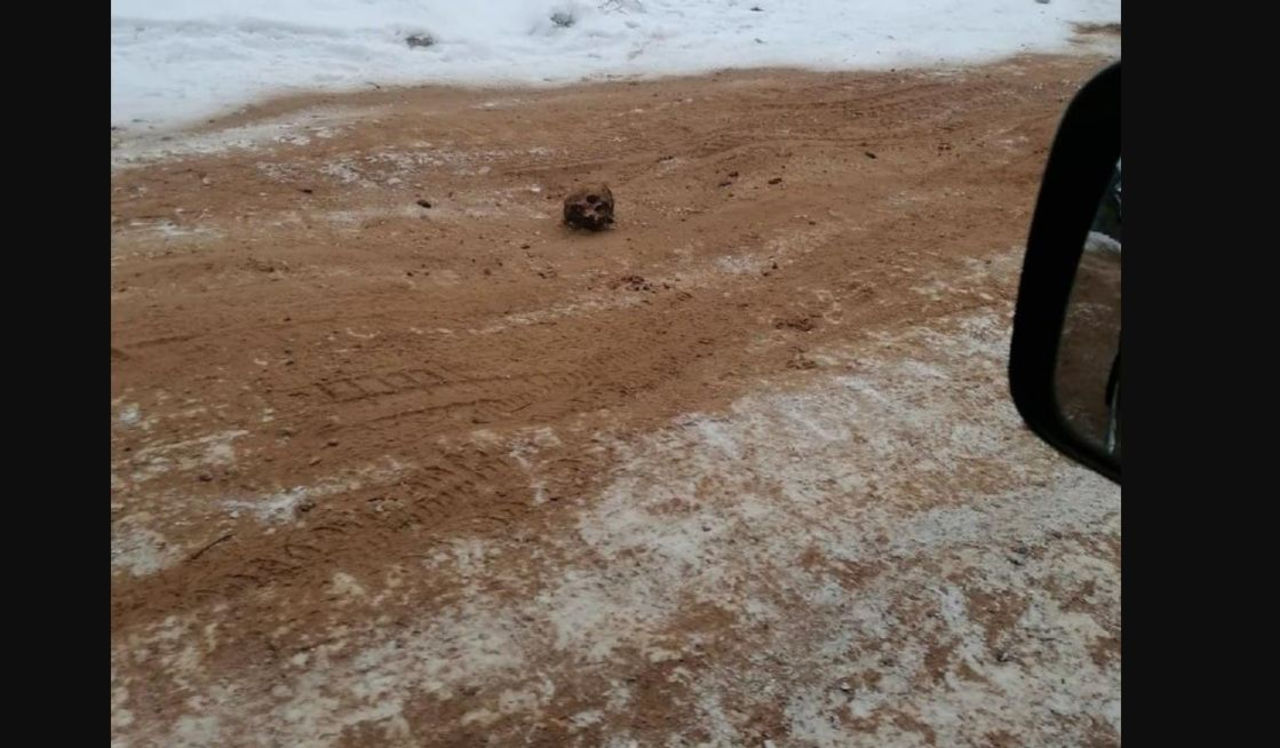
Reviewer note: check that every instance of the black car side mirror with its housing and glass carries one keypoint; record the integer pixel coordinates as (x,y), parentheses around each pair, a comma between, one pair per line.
(1064,364)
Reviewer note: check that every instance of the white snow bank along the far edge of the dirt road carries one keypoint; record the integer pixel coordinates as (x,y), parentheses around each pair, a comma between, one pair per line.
(179,61)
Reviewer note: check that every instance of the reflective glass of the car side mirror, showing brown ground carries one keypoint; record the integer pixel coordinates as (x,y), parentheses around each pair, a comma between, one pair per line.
(1087,378)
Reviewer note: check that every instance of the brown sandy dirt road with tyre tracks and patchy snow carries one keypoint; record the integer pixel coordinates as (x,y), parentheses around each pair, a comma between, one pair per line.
(399,460)
